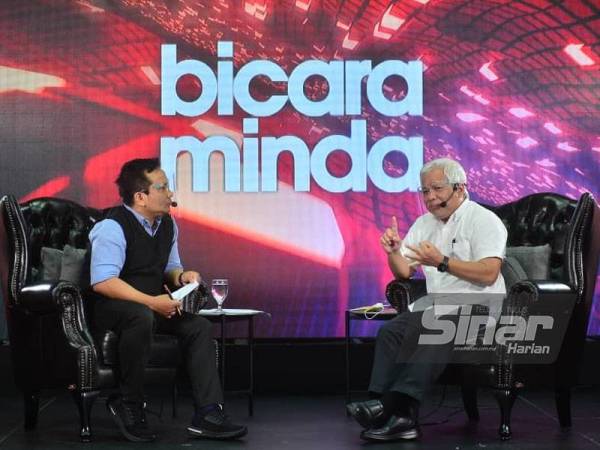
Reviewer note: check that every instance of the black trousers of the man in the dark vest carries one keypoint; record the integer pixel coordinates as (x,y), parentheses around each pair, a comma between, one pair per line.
(135,325)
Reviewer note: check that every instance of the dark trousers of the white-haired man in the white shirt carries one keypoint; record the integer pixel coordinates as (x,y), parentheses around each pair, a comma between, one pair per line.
(403,365)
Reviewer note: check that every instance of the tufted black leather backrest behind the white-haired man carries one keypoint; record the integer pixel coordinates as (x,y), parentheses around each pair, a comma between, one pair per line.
(540,219)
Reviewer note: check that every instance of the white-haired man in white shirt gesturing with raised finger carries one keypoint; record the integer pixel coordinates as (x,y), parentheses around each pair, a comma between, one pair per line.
(460,247)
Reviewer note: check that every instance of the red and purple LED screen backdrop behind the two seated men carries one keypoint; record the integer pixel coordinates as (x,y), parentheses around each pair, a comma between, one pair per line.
(510,88)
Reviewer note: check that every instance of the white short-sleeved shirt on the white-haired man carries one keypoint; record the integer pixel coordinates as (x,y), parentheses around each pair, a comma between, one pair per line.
(471,233)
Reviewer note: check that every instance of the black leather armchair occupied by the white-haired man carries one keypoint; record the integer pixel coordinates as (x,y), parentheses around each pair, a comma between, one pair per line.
(572,228)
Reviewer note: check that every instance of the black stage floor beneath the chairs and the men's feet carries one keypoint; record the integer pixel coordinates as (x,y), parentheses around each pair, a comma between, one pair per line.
(317,422)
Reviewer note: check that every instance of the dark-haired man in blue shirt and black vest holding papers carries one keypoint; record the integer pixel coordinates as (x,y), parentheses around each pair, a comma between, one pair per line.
(134,253)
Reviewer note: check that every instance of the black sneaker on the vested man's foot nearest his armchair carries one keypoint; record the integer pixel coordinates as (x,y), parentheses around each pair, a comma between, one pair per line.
(131,420)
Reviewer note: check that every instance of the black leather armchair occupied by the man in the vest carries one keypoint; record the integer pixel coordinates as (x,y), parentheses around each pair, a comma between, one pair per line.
(51,342)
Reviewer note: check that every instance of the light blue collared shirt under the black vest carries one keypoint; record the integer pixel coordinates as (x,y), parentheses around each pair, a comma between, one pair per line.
(109,245)
